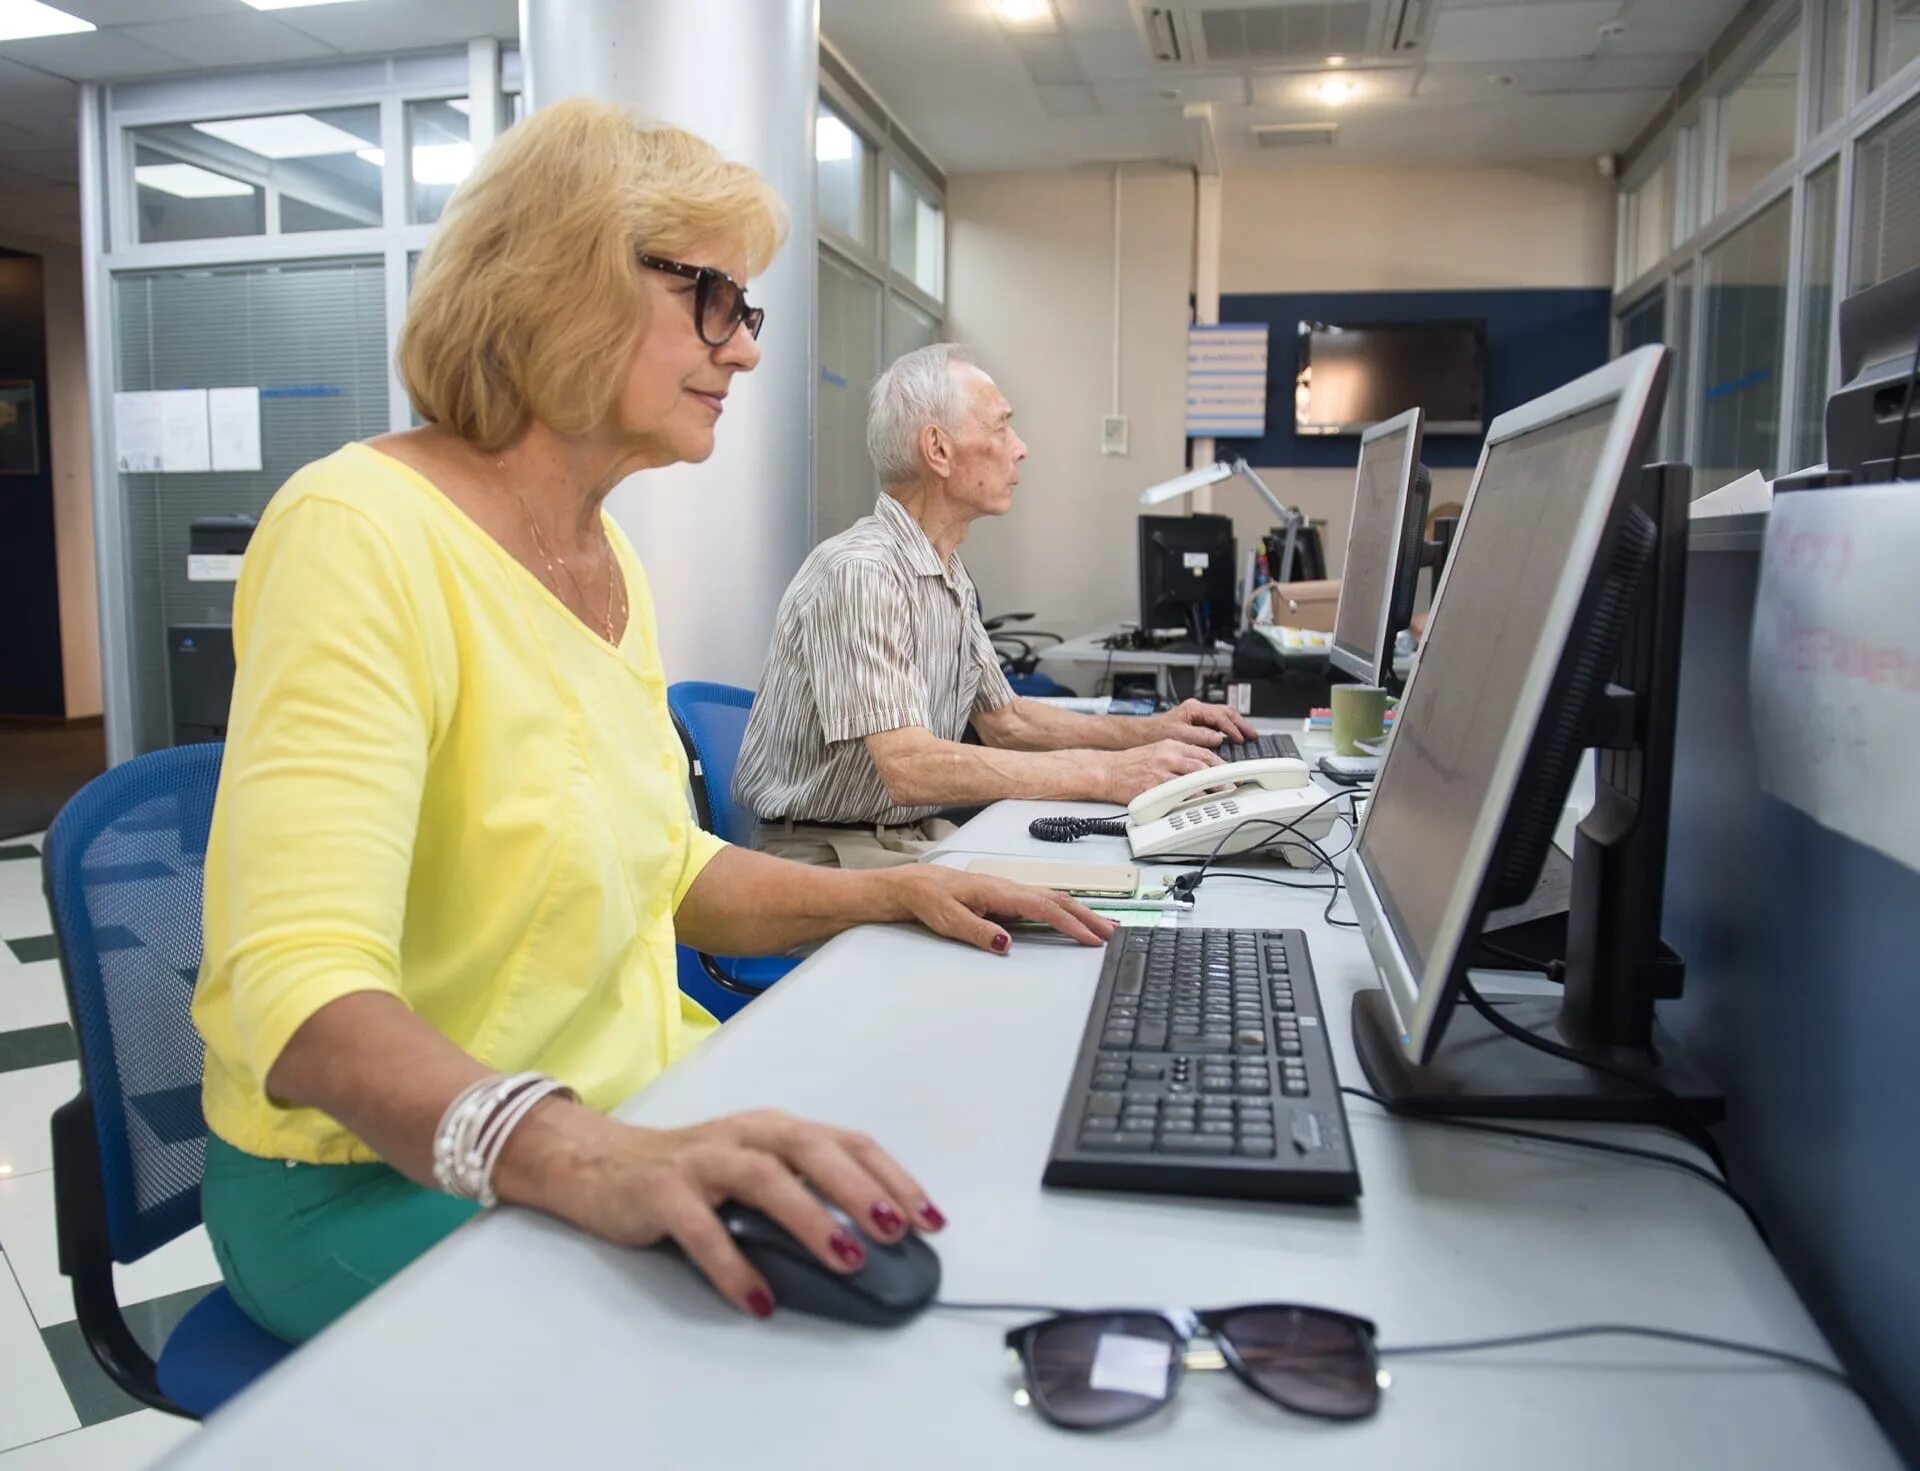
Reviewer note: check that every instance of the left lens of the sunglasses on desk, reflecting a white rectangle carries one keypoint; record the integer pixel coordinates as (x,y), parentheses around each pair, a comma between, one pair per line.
(1092,1374)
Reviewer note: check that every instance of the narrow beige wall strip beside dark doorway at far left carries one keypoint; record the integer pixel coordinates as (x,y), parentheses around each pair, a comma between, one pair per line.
(72,456)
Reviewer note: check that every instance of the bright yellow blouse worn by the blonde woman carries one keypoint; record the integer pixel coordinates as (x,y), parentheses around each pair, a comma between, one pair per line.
(439,784)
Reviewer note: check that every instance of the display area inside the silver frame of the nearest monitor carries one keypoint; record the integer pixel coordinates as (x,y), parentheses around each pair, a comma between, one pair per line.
(1437,796)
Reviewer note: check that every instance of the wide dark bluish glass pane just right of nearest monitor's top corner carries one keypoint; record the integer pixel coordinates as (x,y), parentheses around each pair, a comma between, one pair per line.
(1744,345)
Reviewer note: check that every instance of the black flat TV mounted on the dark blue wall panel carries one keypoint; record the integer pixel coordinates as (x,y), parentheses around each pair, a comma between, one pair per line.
(1356,375)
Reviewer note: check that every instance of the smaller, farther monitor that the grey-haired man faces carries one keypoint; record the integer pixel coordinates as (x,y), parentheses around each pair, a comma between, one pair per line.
(1383,548)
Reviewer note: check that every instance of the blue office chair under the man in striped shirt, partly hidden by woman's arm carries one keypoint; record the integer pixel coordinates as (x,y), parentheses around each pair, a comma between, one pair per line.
(711,721)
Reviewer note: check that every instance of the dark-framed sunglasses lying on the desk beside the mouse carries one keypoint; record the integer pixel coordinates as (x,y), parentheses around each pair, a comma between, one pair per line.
(1095,1372)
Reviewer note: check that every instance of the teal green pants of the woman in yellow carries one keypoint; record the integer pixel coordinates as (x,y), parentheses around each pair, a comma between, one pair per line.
(302,1243)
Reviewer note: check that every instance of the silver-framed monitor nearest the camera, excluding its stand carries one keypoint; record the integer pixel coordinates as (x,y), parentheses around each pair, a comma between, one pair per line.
(1499,710)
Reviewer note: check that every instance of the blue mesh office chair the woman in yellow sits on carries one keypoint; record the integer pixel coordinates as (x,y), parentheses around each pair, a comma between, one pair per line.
(124,879)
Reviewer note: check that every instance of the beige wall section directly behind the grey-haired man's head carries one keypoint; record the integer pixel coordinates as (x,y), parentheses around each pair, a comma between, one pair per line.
(1032,291)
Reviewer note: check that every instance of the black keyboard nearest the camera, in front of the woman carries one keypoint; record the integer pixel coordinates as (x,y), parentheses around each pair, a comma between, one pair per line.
(1207,1071)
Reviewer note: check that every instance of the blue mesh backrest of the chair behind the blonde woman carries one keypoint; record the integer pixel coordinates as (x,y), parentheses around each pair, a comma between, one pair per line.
(124,882)
